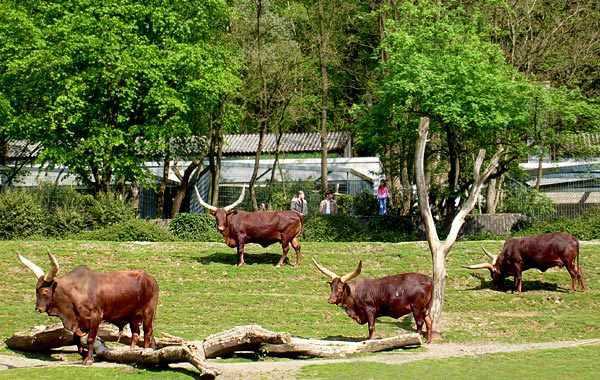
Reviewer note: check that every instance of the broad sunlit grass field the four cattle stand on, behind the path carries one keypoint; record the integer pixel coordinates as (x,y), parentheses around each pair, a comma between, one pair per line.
(203,293)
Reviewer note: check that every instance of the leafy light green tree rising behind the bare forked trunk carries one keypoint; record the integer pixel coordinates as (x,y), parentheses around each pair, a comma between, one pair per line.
(441,65)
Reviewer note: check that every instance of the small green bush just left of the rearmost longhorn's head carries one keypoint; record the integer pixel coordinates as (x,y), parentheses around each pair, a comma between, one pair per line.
(194,227)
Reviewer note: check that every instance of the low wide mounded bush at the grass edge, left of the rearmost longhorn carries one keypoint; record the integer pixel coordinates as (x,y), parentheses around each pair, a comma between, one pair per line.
(129,230)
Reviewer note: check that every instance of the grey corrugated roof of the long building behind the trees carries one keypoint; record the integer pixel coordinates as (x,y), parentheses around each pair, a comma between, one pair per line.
(290,143)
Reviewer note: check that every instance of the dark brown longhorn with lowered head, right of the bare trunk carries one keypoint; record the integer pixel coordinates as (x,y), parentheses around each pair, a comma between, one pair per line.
(538,251)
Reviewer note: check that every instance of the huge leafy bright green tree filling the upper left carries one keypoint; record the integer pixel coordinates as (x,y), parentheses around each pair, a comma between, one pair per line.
(113,81)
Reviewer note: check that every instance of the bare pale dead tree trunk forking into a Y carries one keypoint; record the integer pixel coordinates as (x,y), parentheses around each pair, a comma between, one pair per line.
(439,250)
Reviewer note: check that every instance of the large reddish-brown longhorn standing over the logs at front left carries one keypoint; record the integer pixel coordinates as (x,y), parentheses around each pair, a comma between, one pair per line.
(84,298)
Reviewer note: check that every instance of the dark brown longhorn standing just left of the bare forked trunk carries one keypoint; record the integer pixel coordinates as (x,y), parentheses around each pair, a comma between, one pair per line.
(391,296)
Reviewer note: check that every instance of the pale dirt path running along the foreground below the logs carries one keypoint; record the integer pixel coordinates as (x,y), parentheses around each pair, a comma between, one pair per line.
(285,370)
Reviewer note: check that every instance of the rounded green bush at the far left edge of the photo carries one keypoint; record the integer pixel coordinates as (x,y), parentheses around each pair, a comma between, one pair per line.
(20,215)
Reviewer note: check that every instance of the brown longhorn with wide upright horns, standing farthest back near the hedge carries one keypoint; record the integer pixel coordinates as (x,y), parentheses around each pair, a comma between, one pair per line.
(264,228)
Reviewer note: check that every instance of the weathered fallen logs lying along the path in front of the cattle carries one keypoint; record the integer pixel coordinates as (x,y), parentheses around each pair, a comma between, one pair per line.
(172,349)
